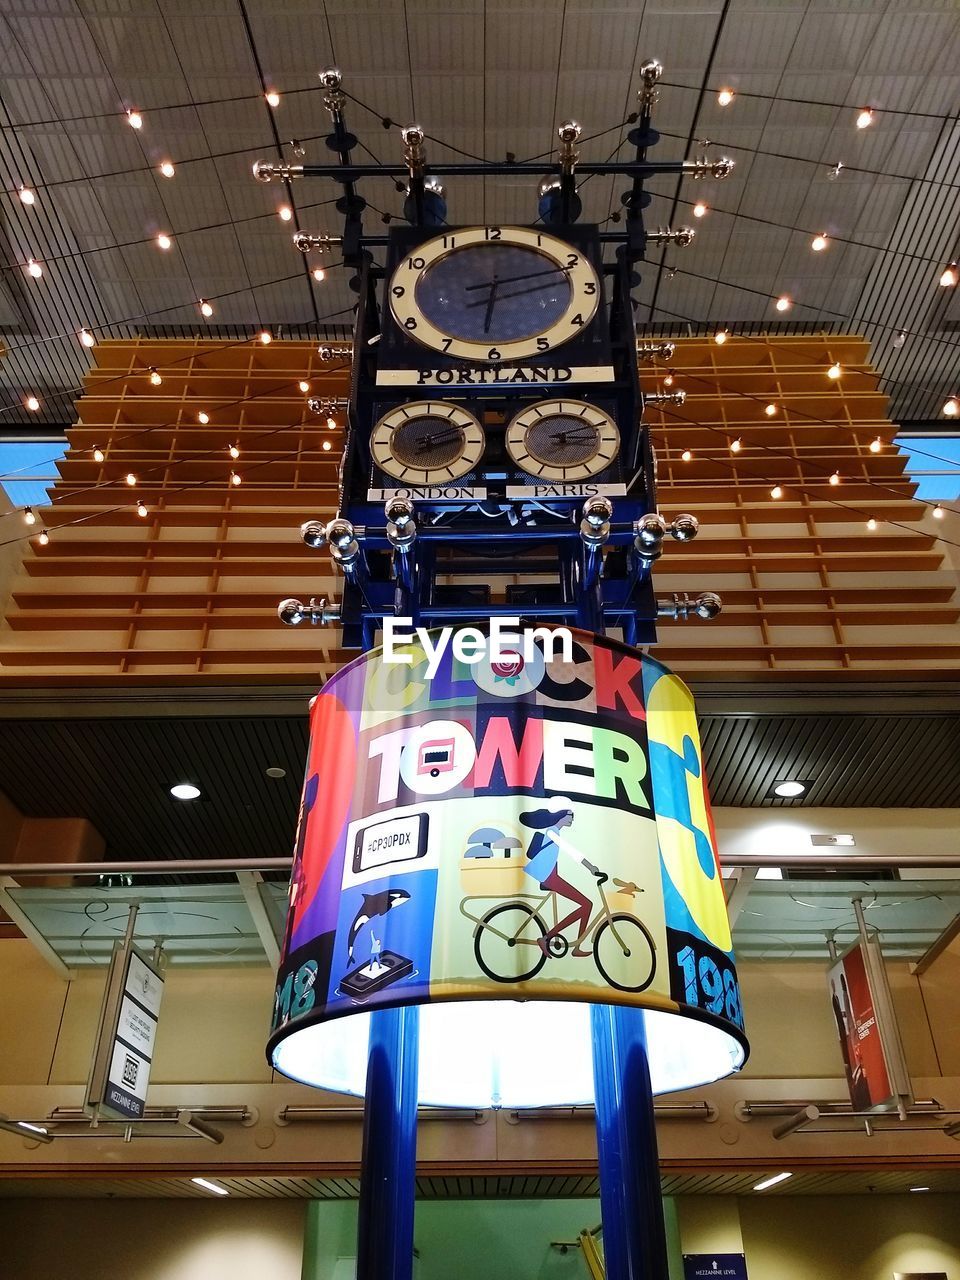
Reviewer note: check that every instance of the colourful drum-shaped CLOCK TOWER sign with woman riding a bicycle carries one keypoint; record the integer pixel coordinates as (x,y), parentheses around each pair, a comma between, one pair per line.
(509,830)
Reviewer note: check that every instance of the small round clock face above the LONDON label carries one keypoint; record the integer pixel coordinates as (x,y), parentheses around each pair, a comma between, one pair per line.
(427,442)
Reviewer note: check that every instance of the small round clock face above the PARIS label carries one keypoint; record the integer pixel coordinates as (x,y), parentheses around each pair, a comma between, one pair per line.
(563,441)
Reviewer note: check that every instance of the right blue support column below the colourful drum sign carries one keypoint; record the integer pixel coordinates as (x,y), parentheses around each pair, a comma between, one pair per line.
(634,1237)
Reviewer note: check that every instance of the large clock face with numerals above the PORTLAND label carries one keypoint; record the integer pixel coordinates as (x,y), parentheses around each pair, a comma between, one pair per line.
(495,294)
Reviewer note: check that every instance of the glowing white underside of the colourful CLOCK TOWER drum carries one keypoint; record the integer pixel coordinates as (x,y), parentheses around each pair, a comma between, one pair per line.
(508,1054)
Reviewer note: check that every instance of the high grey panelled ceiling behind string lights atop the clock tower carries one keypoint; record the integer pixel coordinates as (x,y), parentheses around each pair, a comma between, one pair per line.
(488,77)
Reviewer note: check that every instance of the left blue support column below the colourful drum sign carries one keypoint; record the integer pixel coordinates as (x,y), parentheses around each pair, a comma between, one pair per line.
(388,1169)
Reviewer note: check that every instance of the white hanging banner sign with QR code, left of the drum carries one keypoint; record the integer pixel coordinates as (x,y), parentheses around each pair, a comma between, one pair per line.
(125,1046)
